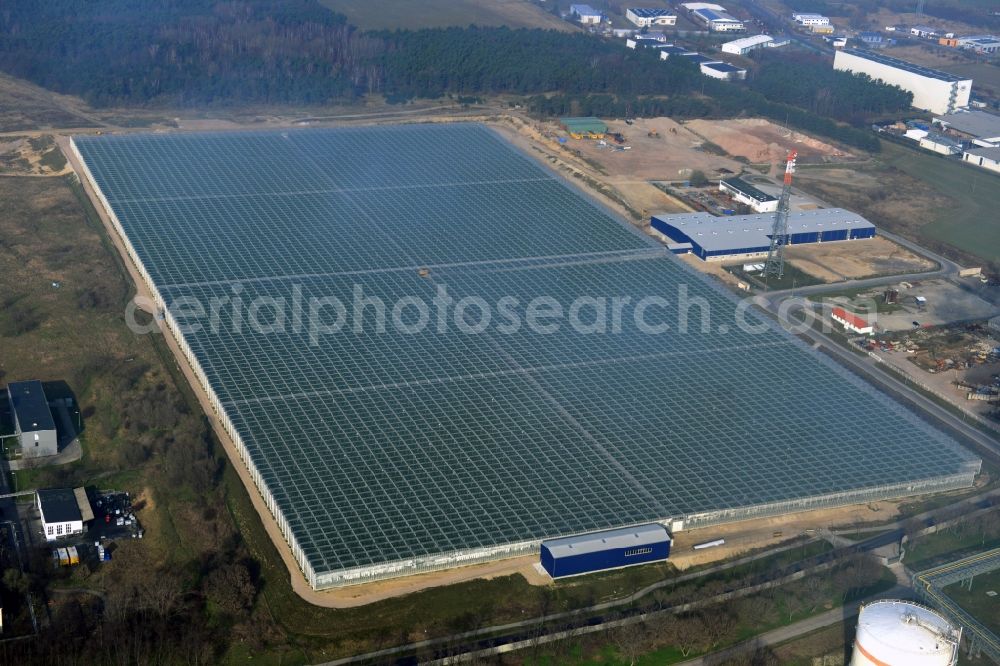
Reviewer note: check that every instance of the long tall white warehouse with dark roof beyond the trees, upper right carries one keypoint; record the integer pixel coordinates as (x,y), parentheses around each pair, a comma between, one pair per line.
(933,90)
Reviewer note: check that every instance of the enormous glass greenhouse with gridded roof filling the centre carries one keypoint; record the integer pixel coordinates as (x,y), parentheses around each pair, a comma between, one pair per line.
(396,449)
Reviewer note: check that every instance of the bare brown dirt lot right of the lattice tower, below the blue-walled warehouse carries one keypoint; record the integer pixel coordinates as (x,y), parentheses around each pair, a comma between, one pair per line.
(835,262)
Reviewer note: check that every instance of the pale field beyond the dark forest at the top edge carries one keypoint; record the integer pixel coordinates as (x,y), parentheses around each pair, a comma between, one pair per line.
(411,14)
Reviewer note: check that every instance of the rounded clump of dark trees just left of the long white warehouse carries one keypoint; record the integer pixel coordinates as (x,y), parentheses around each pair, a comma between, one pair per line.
(810,83)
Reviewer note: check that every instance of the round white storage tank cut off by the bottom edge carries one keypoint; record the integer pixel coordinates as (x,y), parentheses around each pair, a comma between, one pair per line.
(902,633)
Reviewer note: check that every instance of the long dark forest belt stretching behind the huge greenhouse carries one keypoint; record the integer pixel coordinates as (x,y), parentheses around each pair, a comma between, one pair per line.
(198,52)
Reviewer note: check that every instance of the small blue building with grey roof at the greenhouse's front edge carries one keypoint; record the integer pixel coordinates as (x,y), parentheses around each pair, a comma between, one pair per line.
(611,549)
